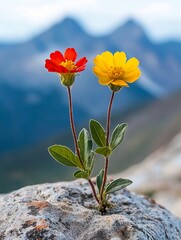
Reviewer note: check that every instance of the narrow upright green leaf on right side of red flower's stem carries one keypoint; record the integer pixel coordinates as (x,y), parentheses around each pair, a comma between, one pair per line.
(85,145)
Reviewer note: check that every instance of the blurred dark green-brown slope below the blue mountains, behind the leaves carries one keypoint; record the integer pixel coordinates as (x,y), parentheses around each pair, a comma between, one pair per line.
(150,126)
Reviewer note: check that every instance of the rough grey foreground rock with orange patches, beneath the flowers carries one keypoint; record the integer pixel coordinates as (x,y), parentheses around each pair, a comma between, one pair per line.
(66,211)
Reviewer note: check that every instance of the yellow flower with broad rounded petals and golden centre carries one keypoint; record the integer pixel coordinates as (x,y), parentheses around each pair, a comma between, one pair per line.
(115,71)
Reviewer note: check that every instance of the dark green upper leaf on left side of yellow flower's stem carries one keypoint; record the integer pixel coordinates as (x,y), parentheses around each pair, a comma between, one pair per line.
(98,133)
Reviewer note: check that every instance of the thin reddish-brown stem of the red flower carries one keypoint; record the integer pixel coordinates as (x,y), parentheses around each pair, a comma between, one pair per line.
(75,139)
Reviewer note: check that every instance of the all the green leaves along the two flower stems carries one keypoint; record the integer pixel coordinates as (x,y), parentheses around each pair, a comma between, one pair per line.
(85,159)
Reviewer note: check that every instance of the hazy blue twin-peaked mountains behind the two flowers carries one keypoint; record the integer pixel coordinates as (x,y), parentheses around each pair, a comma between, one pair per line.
(33,104)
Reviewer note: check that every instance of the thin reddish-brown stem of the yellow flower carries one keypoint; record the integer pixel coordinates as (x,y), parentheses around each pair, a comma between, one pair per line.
(107,144)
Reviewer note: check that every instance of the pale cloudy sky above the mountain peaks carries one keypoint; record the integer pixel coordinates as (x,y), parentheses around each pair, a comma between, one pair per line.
(20,20)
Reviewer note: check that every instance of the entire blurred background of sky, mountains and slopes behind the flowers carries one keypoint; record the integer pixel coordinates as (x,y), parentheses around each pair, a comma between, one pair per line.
(34,107)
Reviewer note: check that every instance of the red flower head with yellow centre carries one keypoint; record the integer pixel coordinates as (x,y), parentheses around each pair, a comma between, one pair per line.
(64,64)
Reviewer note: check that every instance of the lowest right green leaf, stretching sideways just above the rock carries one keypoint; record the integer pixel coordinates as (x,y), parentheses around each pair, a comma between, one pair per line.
(117,185)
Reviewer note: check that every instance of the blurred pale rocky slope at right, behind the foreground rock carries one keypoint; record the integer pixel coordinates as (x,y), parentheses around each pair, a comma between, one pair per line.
(159,175)
